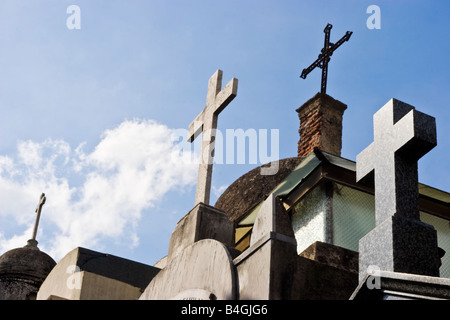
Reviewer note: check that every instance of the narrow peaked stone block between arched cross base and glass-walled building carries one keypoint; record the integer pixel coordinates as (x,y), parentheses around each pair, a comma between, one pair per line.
(266,269)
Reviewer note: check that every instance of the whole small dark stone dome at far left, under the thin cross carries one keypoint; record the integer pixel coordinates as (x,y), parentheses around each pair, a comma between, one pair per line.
(22,271)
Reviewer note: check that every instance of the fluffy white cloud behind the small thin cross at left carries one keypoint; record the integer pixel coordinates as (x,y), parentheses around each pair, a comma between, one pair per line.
(93,196)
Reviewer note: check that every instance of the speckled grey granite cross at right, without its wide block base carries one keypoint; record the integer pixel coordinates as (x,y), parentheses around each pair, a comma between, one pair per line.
(402,135)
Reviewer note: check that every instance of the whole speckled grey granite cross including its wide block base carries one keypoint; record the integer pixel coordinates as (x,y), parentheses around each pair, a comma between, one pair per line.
(400,242)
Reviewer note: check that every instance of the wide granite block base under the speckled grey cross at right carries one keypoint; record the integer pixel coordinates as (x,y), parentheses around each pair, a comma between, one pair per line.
(401,245)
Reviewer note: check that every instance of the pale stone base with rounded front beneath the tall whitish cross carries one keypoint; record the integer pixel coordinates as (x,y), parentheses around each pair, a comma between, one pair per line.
(199,263)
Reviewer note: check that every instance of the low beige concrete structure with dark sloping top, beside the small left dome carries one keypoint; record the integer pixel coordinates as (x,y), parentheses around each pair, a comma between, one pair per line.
(84,274)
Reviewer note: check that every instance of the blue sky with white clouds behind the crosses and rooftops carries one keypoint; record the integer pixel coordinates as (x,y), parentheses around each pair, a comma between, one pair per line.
(86,115)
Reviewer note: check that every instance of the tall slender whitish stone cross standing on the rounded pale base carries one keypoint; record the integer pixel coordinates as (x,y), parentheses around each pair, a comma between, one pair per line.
(206,121)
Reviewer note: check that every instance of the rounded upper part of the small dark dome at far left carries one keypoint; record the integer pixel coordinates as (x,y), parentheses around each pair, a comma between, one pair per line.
(26,262)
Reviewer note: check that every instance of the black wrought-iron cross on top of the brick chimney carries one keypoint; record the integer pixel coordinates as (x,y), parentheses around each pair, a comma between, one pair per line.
(324,56)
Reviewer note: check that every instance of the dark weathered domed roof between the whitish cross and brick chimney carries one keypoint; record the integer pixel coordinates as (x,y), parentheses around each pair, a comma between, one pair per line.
(250,189)
